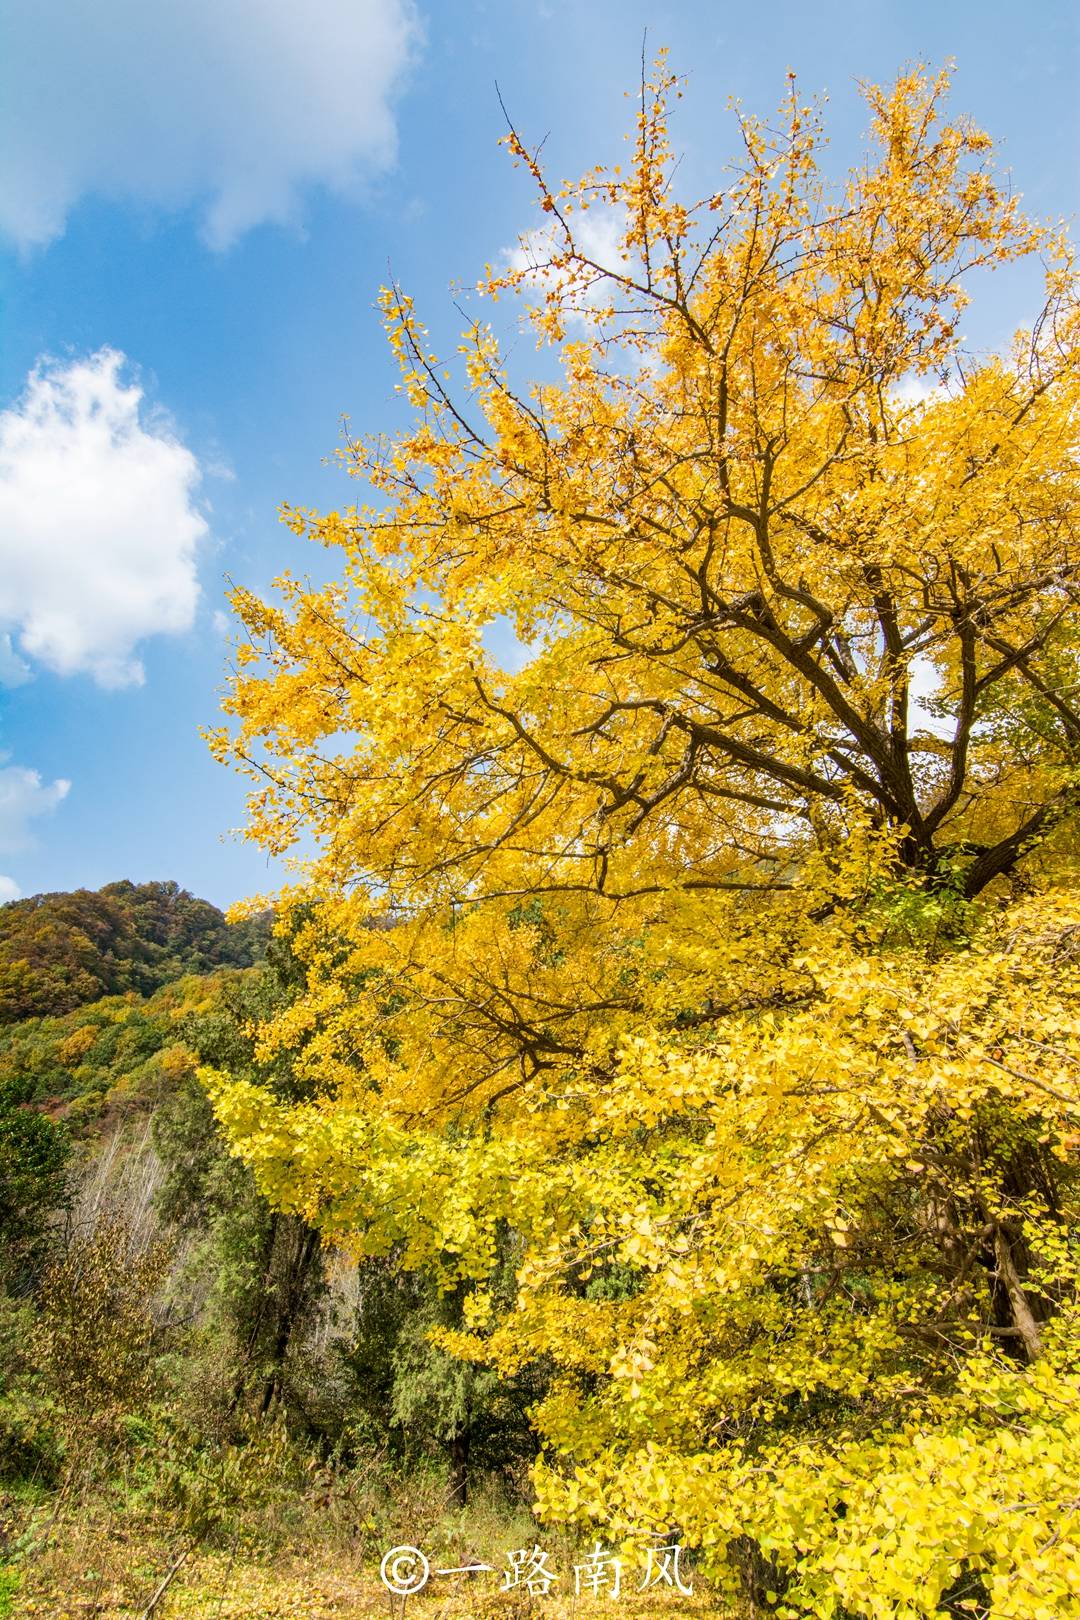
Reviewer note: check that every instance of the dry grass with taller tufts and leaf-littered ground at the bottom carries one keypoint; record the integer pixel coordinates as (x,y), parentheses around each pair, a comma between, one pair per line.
(294,1545)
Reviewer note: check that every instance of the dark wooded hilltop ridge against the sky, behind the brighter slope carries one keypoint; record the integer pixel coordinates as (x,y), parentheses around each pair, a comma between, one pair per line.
(59,952)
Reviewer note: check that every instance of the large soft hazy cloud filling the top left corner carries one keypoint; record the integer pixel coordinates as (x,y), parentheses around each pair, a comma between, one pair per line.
(232,106)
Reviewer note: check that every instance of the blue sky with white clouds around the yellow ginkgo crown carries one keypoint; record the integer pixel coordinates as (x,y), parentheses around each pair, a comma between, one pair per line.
(198,205)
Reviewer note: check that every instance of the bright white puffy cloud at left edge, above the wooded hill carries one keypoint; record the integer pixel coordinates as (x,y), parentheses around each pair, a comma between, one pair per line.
(98,522)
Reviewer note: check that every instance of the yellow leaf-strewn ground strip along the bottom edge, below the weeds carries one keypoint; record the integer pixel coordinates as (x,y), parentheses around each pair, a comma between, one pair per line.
(111,1566)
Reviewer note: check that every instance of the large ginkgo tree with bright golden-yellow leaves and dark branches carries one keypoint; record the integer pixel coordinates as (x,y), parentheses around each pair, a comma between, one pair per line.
(718,966)
